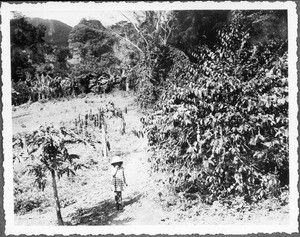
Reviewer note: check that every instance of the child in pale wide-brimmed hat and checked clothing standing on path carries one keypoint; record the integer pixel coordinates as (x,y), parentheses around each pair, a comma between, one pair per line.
(118,179)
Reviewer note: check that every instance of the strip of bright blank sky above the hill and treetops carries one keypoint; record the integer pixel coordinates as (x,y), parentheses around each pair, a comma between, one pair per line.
(72,18)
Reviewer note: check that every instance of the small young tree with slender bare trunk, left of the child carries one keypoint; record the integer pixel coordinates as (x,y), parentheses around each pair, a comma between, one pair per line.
(46,149)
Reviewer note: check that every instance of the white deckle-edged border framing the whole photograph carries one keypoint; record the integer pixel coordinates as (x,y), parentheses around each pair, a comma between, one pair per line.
(12,229)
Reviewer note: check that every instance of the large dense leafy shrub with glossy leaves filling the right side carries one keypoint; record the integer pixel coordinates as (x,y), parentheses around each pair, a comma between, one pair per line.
(221,124)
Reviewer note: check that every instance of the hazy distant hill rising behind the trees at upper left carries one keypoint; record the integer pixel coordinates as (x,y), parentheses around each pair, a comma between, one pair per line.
(57,32)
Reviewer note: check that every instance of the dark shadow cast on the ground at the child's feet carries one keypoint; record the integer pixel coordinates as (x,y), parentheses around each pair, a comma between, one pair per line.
(103,213)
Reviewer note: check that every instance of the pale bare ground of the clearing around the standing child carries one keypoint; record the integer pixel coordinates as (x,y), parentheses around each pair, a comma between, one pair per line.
(87,198)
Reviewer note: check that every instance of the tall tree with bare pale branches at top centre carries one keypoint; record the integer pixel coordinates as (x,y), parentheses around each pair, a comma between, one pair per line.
(145,37)
